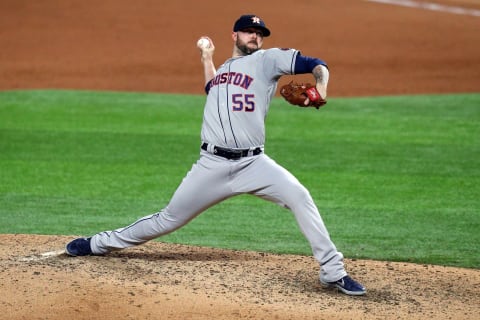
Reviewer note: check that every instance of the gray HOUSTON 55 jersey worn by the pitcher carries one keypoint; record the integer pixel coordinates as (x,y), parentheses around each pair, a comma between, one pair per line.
(239,97)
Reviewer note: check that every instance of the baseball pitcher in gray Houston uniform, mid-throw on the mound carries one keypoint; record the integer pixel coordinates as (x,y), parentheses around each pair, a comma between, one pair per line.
(232,156)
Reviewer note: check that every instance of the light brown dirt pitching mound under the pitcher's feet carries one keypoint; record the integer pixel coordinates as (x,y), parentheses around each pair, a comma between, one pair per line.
(167,281)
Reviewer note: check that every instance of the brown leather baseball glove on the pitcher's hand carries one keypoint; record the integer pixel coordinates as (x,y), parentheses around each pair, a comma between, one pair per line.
(297,93)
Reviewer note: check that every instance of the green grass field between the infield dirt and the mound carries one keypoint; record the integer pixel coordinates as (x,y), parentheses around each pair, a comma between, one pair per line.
(395,178)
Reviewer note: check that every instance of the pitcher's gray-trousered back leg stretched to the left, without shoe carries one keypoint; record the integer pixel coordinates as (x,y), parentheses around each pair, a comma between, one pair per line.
(203,187)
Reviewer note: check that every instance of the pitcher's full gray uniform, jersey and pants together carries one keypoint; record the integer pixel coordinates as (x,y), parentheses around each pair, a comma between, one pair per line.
(237,103)
